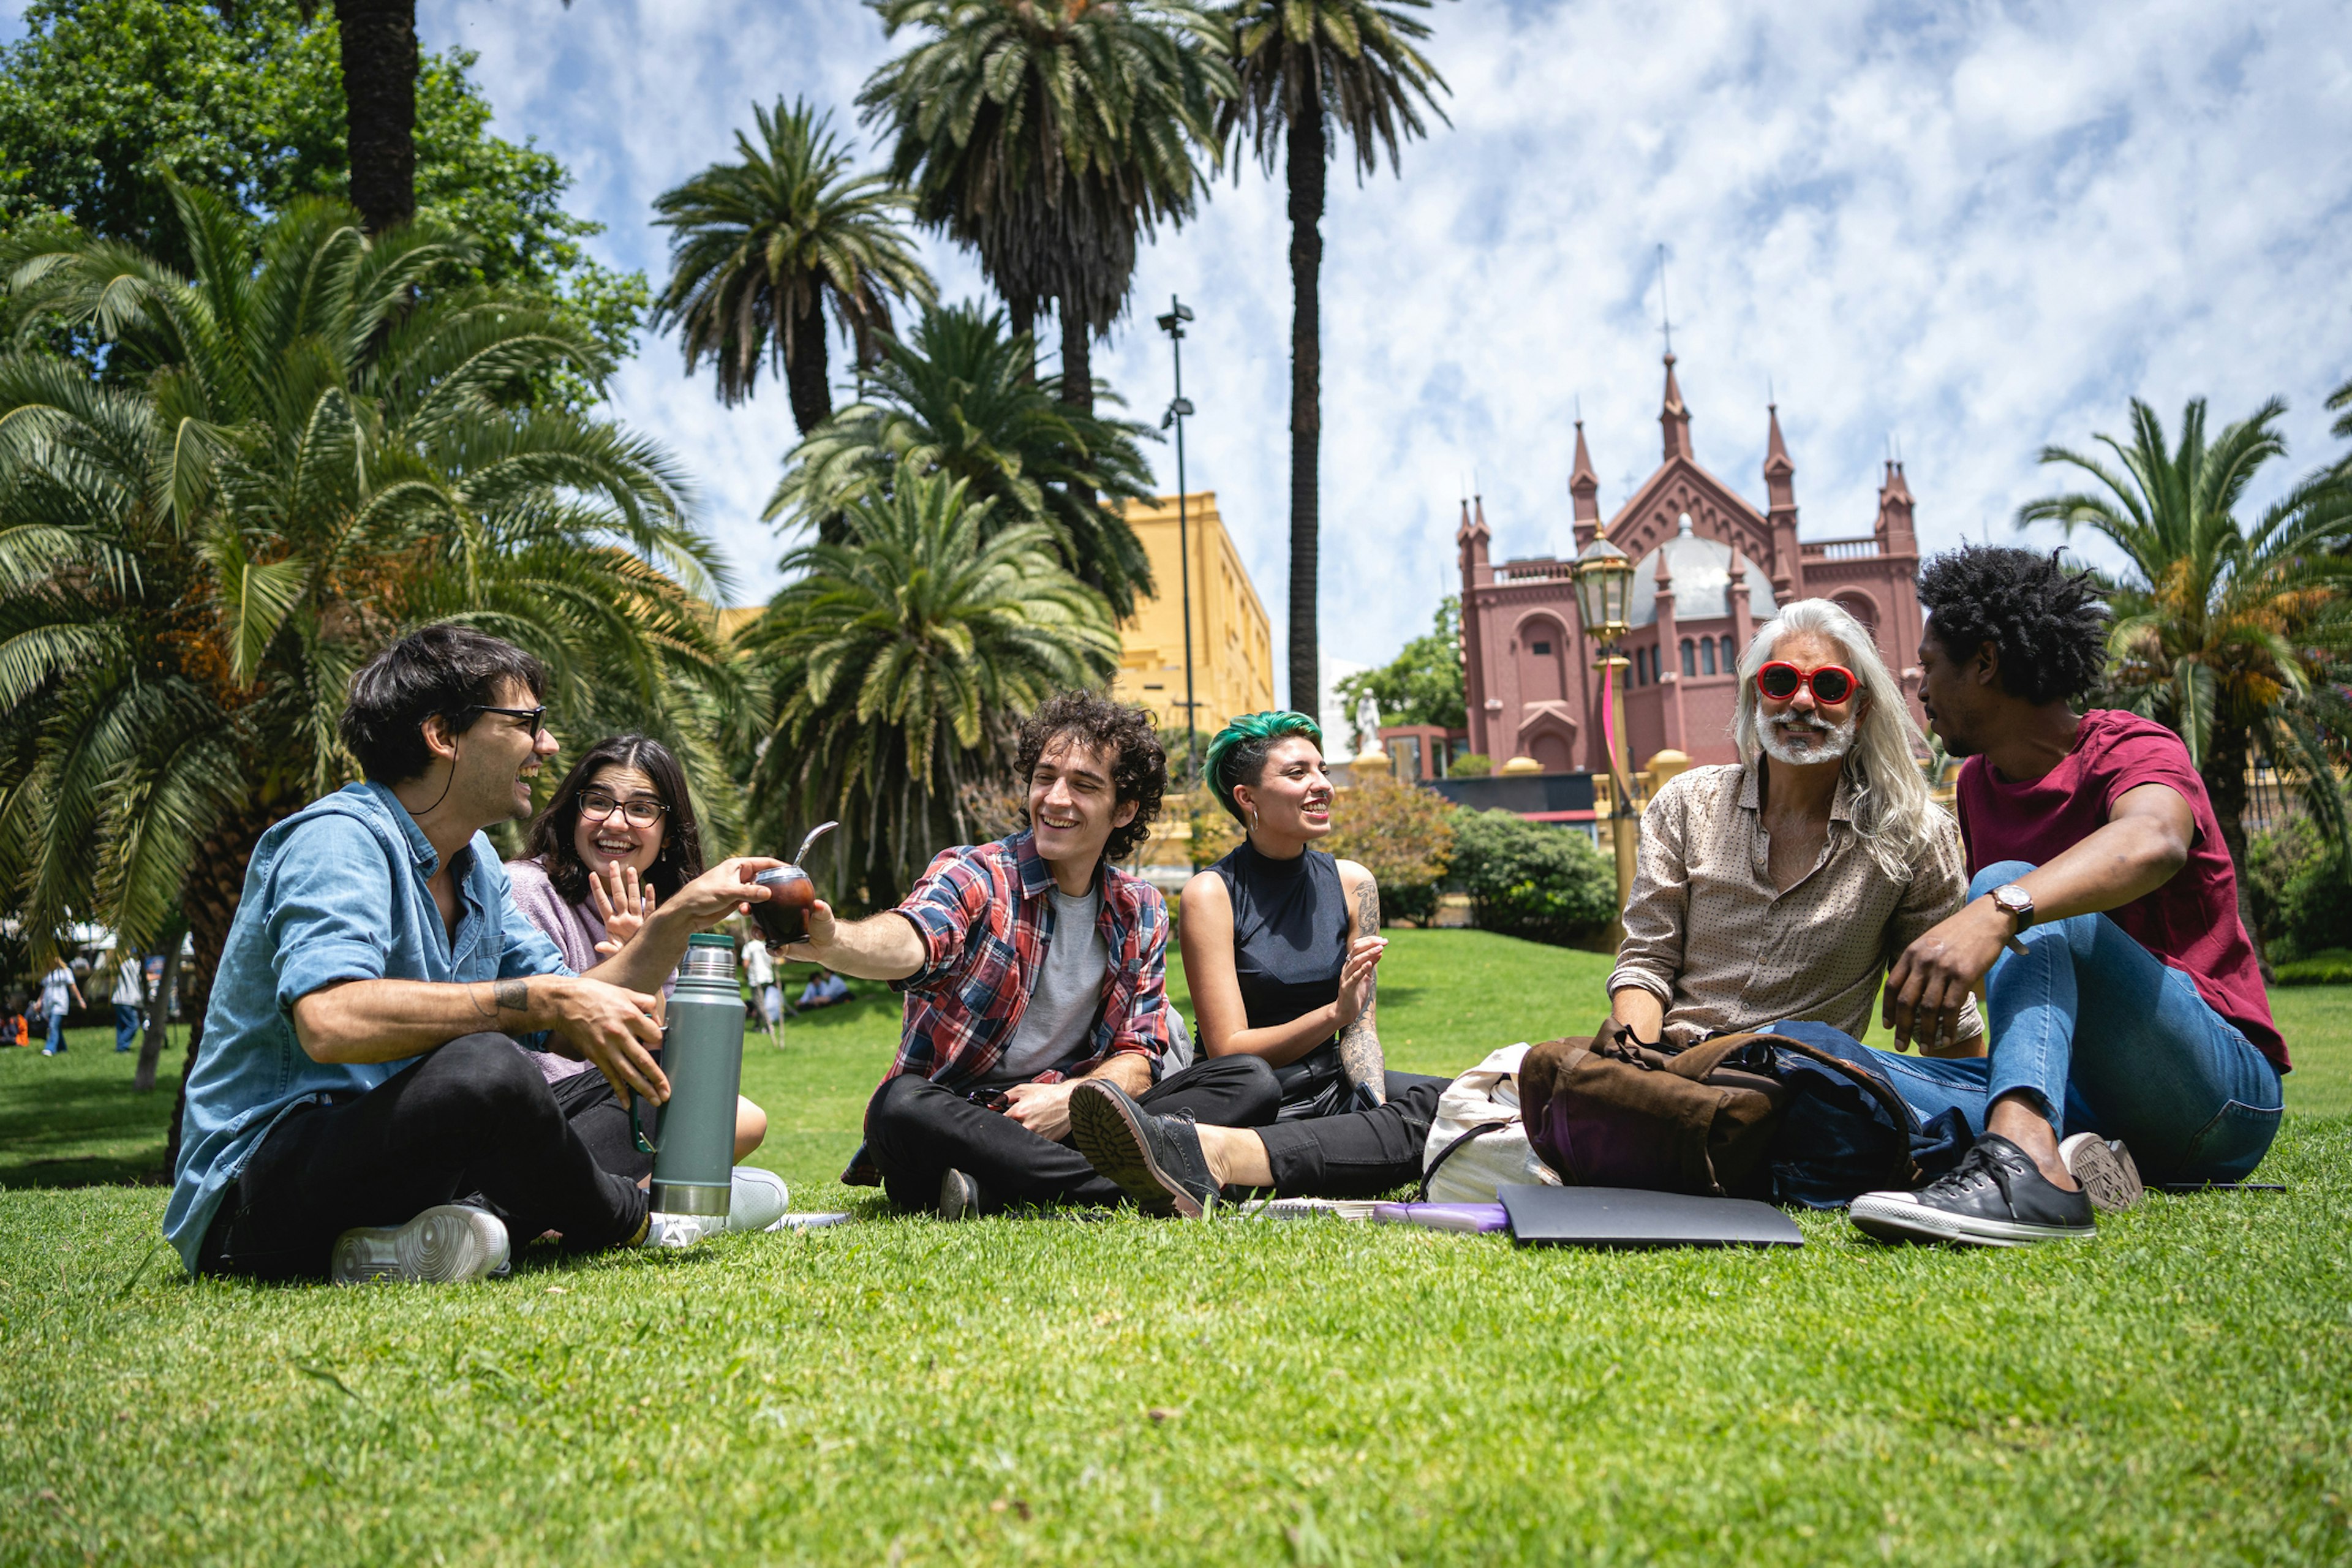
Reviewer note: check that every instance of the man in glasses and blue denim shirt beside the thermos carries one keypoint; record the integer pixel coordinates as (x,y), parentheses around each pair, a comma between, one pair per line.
(359,1106)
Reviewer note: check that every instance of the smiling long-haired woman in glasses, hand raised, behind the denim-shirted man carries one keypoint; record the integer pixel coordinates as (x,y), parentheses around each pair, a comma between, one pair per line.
(613,843)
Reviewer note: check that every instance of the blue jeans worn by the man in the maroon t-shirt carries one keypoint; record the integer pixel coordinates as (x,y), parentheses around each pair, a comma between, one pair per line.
(2104,1038)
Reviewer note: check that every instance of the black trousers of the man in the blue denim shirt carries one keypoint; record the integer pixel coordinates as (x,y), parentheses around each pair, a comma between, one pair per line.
(474,1118)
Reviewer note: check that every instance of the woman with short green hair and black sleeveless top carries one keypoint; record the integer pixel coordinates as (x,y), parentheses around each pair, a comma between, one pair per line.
(1281,949)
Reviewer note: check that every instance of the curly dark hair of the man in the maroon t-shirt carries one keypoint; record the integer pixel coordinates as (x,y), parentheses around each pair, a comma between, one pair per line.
(2047,624)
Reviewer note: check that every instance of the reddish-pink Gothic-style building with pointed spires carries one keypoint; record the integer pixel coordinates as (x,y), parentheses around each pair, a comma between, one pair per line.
(1711,568)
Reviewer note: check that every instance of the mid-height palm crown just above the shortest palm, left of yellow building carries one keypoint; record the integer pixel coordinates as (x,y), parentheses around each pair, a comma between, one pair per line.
(956,398)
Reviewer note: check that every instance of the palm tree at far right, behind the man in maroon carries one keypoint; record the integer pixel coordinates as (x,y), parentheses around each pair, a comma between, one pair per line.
(2236,638)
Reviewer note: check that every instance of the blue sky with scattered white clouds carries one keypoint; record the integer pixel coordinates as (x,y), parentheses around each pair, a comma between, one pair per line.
(1958,229)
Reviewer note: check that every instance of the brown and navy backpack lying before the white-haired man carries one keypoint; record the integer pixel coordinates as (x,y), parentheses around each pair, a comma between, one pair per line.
(1737,1115)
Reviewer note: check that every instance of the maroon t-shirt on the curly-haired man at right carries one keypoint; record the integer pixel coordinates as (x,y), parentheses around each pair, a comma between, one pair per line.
(2191,923)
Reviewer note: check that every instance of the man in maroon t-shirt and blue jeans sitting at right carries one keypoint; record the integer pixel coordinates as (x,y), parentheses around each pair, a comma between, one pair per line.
(2130,1026)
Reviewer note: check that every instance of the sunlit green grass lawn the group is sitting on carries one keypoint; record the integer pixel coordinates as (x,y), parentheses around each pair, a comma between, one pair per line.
(1128,1391)
